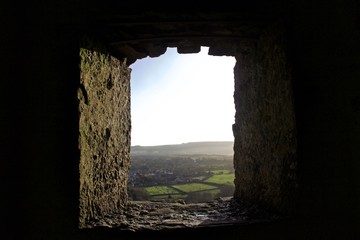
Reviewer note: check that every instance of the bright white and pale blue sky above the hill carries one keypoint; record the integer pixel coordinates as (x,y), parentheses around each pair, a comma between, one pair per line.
(179,98)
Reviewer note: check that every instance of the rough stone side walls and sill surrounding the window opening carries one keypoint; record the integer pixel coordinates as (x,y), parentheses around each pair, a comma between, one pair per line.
(264,145)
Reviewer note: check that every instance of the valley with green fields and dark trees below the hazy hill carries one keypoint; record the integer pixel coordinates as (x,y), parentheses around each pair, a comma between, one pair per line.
(193,178)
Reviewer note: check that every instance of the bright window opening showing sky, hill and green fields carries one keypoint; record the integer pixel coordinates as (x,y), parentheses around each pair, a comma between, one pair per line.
(192,114)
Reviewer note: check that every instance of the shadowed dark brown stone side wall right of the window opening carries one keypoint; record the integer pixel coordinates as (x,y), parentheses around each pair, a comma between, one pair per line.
(264,129)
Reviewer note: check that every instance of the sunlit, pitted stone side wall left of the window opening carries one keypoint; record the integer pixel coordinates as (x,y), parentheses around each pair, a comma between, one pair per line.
(104,134)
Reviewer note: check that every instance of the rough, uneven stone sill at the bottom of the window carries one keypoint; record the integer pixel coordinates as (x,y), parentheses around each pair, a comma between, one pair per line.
(139,215)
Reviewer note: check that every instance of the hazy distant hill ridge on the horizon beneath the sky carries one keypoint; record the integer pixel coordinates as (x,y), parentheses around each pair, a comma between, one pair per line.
(211,148)
